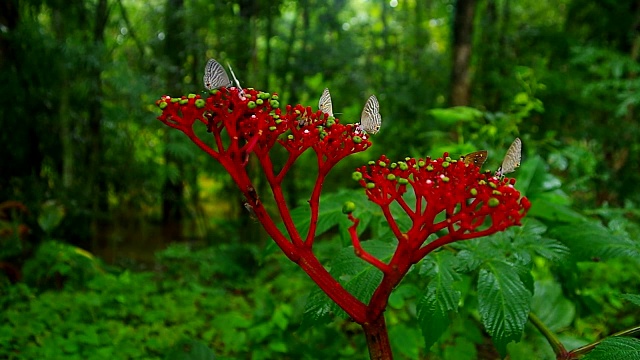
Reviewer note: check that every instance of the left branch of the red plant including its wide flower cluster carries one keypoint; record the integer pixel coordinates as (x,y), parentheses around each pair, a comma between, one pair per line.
(251,121)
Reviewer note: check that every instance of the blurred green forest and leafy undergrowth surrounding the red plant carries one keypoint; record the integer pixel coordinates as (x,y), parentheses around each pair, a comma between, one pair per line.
(103,204)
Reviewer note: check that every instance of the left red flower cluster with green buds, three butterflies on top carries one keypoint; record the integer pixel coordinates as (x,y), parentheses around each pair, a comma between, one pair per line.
(254,122)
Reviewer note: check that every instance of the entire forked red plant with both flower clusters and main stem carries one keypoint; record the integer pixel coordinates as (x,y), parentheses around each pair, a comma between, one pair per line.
(452,199)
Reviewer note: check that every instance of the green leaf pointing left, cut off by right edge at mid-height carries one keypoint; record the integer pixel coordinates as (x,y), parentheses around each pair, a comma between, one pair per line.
(590,240)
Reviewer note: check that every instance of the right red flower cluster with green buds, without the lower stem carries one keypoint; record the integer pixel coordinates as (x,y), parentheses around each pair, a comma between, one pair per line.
(449,195)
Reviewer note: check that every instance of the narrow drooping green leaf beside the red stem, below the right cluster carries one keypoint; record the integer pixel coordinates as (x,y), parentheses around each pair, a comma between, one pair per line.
(440,299)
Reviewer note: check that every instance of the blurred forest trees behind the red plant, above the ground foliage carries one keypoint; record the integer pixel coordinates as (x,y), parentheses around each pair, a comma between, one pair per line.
(85,162)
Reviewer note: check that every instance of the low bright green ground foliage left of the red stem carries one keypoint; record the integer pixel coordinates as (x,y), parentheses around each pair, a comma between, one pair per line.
(170,314)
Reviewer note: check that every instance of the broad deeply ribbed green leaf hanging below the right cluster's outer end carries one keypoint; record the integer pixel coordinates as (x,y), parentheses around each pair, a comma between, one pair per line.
(504,303)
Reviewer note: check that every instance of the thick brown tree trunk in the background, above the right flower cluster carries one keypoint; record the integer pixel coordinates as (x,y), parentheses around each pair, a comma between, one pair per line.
(462,41)
